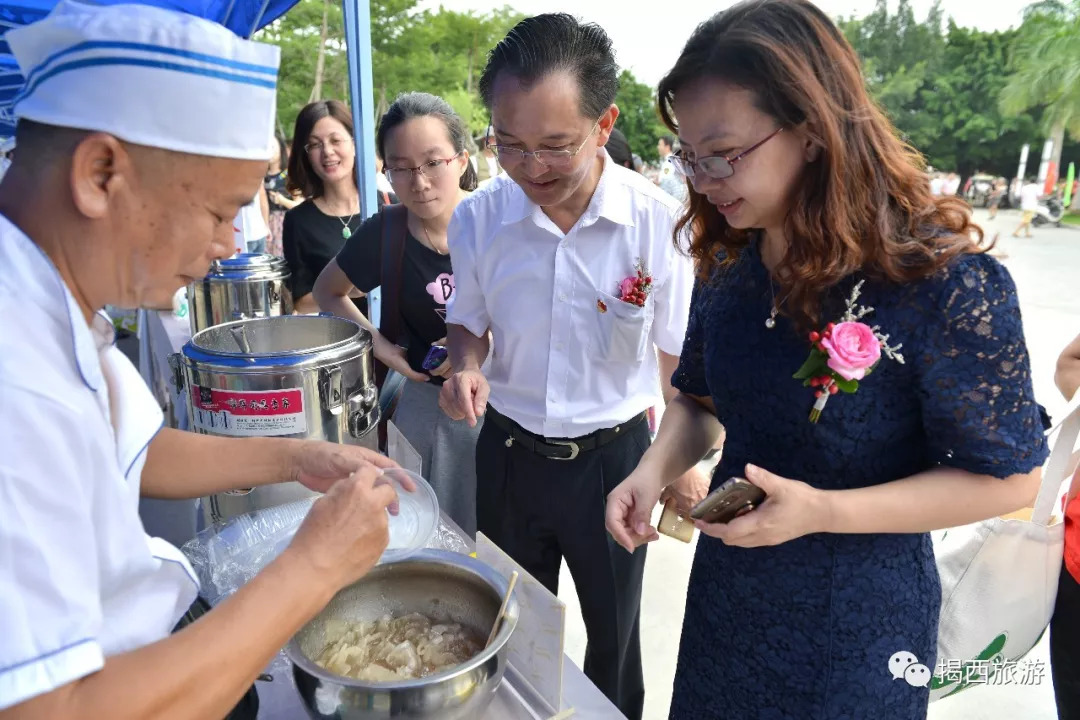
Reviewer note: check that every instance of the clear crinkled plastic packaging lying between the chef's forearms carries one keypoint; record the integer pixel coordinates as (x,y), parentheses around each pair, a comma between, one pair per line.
(226,558)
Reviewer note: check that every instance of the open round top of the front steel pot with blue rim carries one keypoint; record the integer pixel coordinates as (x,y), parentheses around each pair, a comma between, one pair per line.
(279,341)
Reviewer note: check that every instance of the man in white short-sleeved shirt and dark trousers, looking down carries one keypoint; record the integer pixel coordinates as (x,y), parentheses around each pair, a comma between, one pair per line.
(539,256)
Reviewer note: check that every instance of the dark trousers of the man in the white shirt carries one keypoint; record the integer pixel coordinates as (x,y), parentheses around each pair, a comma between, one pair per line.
(541,511)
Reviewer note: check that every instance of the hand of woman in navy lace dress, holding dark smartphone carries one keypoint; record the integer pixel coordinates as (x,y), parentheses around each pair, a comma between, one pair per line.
(791,510)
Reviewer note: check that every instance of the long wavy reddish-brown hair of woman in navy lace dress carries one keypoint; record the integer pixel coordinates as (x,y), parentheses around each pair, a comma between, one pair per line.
(865,205)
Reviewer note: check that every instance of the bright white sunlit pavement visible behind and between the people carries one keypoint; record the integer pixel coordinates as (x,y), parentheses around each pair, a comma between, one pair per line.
(1047,270)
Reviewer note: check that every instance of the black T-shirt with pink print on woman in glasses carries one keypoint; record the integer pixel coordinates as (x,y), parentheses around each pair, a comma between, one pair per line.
(426,287)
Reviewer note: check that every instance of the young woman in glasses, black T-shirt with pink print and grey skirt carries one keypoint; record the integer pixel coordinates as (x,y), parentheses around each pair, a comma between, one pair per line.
(423,143)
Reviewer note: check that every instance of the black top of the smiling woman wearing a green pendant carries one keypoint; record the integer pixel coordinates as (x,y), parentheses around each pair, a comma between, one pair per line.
(312,239)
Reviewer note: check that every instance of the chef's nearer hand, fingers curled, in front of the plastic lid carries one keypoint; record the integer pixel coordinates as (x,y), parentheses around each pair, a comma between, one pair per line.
(346,532)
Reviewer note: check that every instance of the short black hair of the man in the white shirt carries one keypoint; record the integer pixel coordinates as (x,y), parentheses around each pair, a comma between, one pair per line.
(553,43)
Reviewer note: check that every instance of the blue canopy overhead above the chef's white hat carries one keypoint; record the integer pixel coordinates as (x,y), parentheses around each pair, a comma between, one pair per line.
(241,17)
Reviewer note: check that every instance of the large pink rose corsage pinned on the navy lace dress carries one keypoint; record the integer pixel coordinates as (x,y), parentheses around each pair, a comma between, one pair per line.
(844,354)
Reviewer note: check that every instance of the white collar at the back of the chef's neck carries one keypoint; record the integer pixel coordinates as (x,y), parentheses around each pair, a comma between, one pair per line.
(36,275)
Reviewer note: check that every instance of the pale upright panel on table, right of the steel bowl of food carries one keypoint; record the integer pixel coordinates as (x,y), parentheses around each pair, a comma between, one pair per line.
(537,646)
